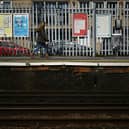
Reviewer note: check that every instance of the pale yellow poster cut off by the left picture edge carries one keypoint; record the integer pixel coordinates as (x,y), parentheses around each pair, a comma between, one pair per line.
(5,25)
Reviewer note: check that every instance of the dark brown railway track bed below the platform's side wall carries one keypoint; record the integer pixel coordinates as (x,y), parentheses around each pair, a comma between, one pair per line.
(64,110)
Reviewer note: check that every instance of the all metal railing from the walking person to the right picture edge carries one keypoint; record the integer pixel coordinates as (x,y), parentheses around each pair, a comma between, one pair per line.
(59,29)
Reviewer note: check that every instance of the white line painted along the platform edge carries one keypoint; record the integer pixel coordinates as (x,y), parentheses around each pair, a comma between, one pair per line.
(99,64)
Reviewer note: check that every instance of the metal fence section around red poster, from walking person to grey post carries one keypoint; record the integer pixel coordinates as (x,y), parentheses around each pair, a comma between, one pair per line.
(59,29)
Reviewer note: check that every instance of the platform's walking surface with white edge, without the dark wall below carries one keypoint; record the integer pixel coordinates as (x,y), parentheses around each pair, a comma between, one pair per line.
(65,61)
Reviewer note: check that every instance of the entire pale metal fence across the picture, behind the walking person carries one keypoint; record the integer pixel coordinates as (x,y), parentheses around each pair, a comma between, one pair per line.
(59,29)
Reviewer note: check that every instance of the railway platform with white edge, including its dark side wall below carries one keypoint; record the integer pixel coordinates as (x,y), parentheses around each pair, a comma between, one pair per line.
(91,74)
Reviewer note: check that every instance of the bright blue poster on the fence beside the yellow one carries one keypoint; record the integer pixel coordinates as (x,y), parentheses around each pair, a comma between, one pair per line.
(21,25)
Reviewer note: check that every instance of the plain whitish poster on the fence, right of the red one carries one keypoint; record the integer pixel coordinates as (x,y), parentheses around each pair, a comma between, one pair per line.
(103,25)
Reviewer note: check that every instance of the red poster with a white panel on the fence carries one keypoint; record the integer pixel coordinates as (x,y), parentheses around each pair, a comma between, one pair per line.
(80,24)
